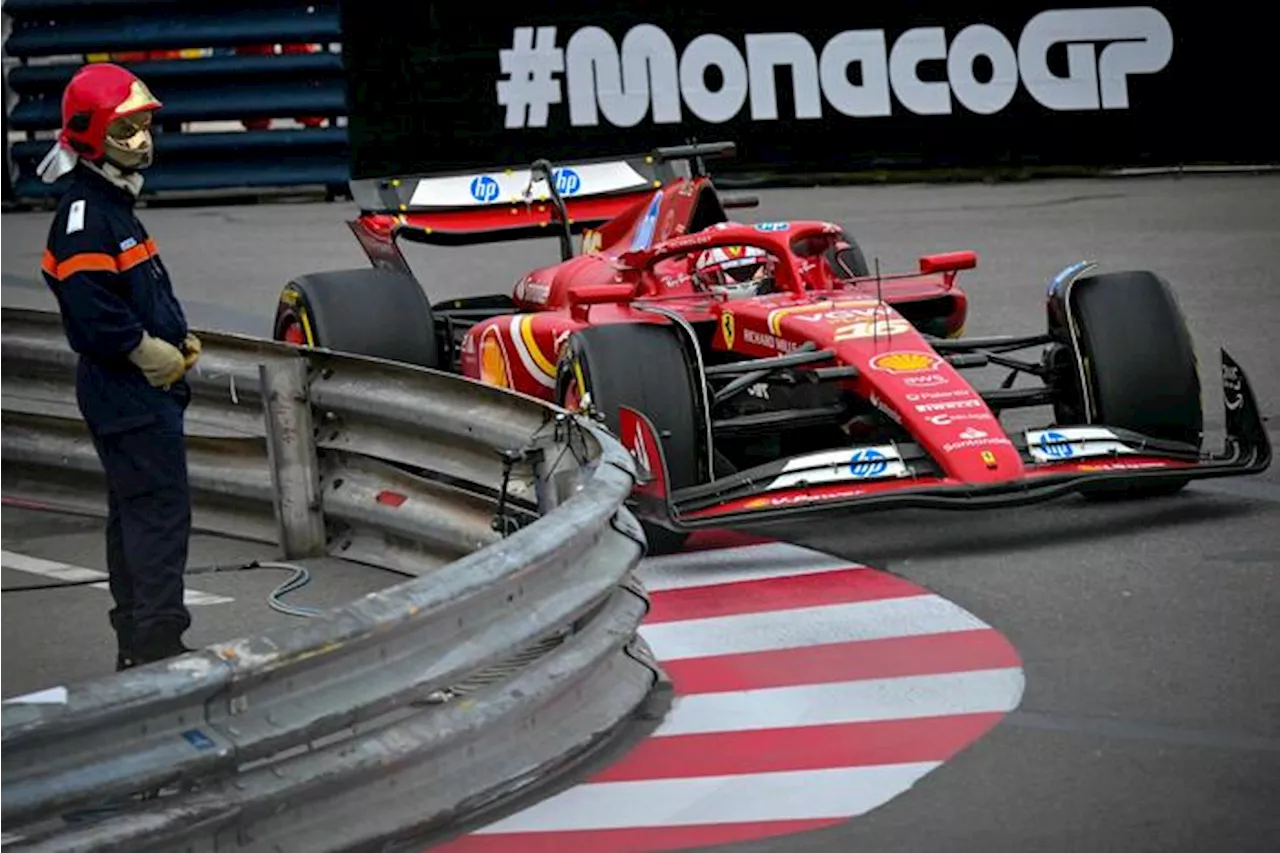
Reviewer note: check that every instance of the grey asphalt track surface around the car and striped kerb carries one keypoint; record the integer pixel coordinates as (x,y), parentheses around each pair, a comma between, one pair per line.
(1151,715)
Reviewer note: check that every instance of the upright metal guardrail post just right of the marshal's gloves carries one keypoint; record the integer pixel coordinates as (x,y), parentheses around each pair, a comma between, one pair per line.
(292,453)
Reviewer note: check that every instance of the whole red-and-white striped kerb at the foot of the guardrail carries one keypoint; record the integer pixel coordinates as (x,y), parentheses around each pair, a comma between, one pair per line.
(808,691)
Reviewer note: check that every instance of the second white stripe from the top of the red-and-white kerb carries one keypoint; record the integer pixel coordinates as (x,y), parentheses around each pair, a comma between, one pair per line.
(804,627)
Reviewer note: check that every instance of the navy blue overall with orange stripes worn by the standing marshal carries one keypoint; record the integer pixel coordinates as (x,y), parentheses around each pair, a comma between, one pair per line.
(111,285)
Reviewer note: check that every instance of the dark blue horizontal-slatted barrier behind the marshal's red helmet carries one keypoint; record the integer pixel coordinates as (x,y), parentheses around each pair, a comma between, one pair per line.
(222,85)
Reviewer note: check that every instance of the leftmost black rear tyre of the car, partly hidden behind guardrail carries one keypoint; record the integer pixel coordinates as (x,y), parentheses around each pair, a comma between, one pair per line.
(365,312)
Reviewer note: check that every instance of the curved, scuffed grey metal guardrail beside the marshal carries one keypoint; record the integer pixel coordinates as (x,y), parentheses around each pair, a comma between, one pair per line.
(318,738)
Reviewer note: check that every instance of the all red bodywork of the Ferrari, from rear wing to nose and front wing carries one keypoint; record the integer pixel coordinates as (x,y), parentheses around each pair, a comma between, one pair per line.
(642,258)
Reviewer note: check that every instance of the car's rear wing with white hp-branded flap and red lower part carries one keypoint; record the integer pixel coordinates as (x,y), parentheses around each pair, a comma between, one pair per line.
(509,203)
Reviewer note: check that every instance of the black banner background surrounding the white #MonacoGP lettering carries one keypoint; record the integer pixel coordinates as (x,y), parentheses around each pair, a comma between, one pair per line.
(423,93)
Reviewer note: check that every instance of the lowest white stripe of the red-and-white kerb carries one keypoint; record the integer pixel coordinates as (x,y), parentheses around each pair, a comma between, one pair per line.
(808,795)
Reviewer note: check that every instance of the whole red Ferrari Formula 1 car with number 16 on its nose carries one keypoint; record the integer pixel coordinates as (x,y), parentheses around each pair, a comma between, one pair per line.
(762,371)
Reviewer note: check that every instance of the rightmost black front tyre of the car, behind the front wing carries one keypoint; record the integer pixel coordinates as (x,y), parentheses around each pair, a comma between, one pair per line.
(1140,366)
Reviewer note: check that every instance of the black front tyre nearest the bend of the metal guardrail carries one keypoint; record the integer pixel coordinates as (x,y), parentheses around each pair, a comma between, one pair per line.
(646,368)
